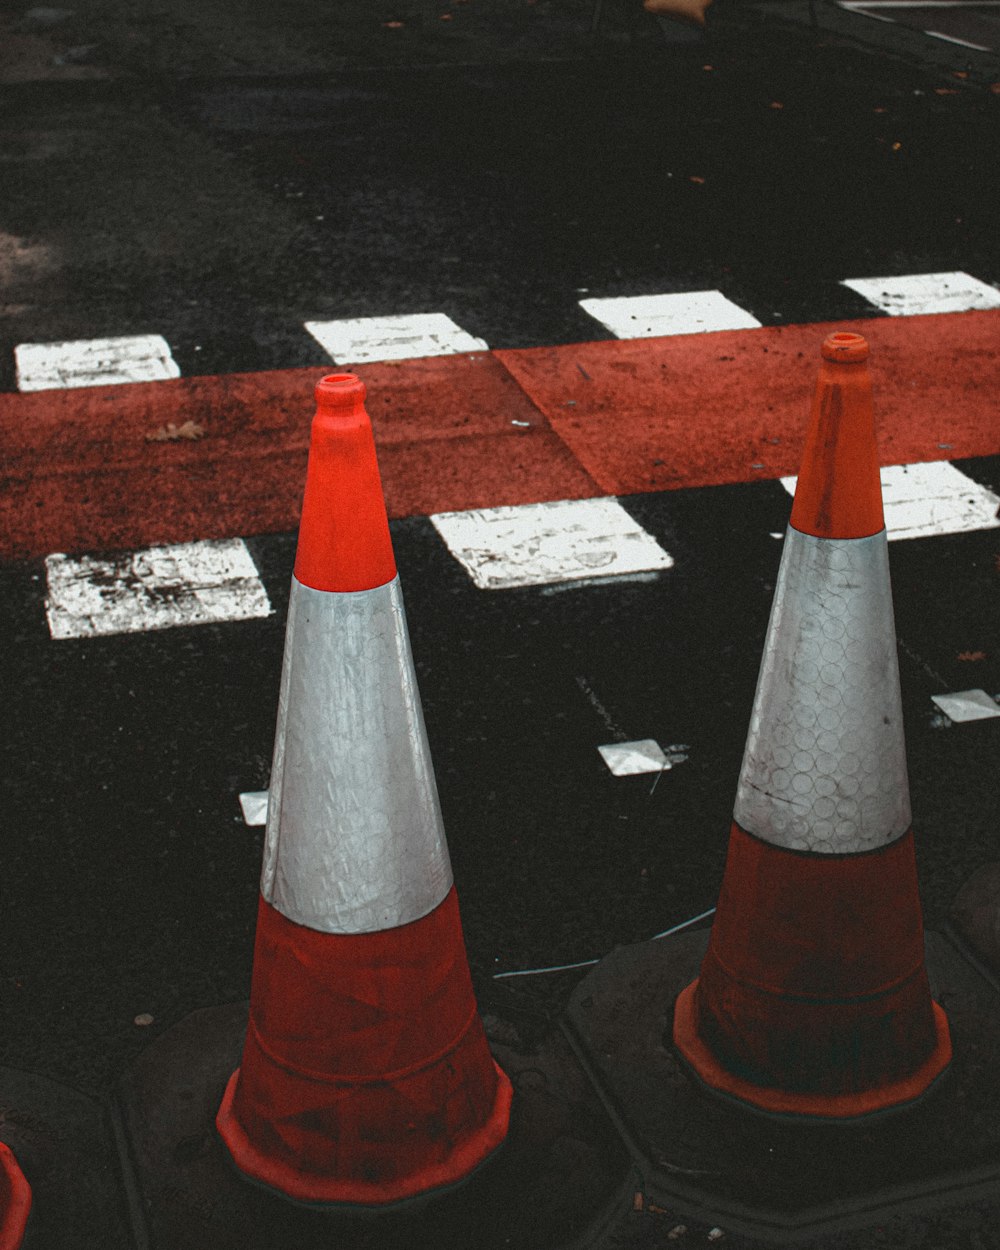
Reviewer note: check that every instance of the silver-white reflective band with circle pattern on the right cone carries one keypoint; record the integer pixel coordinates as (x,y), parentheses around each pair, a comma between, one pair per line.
(826,767)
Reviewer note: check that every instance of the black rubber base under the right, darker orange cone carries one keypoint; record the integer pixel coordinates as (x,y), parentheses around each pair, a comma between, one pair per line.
(771,1178)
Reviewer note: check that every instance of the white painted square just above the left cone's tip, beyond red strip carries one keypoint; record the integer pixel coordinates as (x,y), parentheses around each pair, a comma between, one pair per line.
(358,341)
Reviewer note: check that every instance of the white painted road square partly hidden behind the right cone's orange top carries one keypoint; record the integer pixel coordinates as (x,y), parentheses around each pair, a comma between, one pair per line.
(934,498)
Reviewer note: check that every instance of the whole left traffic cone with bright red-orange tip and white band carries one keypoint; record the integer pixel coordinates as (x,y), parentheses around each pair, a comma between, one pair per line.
(367,1078)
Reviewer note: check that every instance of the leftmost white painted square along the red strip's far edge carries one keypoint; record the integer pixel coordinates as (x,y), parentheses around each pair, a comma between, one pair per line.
(142,358)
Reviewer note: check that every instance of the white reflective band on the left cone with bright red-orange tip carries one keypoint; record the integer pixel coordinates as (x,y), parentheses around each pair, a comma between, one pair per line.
(356,842)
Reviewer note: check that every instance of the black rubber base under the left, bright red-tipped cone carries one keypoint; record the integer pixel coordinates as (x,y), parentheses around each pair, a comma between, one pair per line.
(562,1179)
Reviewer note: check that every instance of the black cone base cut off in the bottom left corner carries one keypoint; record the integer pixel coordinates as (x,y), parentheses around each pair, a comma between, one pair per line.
(64,1146)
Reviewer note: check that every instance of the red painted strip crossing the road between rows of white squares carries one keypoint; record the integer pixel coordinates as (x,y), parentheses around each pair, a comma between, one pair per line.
(82,472)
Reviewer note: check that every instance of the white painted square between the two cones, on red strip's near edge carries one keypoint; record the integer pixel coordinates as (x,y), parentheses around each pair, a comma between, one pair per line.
(542,544)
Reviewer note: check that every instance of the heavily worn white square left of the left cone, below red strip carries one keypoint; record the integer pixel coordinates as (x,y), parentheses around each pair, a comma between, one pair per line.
(161,588)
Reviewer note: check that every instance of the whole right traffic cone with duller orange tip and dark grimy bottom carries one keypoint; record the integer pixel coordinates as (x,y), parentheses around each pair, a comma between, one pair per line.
(813,998)
